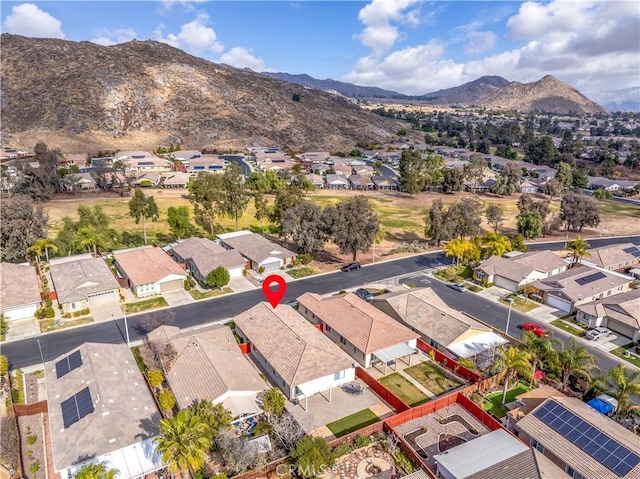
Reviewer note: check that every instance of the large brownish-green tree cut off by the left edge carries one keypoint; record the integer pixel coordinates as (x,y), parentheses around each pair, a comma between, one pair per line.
(22,223)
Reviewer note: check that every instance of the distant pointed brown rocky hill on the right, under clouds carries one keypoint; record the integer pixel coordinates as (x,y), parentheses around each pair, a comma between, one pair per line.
(548,95)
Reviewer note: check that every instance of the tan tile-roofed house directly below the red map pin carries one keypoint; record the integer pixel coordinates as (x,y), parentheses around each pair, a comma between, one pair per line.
(297,357)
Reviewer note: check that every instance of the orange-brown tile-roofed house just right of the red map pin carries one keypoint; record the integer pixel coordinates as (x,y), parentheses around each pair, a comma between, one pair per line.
(364,332)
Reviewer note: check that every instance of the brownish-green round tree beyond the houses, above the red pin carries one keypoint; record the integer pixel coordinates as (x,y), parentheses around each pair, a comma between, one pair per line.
(304,226)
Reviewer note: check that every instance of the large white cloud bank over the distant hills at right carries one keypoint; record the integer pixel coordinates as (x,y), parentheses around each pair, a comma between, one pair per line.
(591,45)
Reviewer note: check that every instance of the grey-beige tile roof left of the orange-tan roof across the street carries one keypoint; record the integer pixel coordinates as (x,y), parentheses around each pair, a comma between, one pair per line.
(76,280)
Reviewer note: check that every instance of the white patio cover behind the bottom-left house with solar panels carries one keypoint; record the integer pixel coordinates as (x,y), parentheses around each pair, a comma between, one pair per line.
(132,461)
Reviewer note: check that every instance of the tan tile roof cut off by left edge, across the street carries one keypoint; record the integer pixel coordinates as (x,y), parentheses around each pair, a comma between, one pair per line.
(18,285)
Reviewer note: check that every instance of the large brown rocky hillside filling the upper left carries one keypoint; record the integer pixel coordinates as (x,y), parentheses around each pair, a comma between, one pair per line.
(83,96)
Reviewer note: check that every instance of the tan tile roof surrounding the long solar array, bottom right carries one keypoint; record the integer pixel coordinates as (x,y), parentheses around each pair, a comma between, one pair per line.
(571,454)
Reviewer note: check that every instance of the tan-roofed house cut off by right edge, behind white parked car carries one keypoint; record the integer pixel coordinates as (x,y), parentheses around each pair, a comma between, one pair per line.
(619,313)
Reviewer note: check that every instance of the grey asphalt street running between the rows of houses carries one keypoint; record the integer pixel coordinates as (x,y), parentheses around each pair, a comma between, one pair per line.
(26,352)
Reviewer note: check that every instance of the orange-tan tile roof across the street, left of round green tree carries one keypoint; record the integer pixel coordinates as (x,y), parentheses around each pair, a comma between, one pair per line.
(147,265)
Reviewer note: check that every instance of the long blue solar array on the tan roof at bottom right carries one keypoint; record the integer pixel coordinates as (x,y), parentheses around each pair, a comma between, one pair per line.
(603,448)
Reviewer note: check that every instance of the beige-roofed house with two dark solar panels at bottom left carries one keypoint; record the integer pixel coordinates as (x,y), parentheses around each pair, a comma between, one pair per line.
(101,411)
